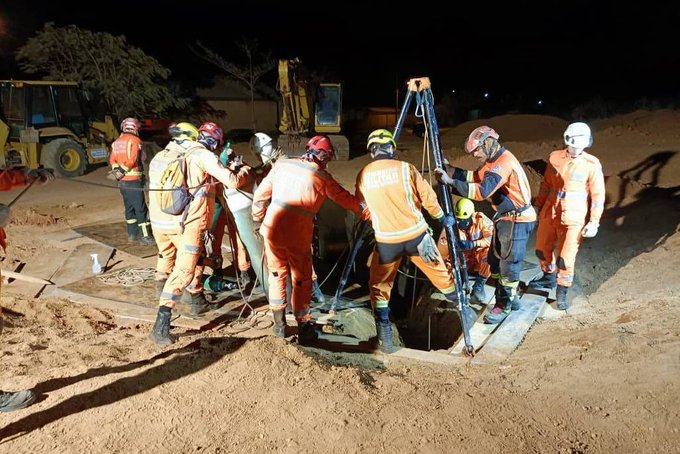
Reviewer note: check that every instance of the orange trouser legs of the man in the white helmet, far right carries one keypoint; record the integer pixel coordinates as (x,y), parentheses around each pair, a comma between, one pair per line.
(568,239)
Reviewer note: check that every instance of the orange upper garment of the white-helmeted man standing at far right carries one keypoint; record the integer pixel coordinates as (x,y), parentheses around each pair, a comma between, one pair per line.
(572,189)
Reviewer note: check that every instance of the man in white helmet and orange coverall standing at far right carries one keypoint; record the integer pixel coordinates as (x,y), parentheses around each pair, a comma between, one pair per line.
(570,203)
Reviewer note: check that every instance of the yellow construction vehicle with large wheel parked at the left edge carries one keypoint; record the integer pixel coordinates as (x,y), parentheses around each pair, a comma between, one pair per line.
(52,124)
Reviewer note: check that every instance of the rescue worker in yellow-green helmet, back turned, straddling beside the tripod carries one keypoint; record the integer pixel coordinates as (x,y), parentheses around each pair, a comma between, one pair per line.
(395,193)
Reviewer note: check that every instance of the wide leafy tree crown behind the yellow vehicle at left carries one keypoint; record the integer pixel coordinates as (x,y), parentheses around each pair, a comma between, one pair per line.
(129,81)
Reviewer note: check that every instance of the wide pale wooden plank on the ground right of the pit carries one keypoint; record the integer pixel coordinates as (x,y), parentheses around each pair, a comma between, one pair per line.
(511,332)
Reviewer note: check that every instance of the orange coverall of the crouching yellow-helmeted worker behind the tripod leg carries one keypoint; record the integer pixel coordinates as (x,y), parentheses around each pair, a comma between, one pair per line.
(481,232)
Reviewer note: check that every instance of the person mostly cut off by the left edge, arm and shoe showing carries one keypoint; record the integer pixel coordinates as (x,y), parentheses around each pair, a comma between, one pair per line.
(10,179)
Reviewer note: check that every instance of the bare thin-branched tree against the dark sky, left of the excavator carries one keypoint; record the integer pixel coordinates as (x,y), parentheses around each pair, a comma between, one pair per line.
(259,63)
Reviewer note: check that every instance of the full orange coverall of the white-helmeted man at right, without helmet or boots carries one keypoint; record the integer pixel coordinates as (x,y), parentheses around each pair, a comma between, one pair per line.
(572,193)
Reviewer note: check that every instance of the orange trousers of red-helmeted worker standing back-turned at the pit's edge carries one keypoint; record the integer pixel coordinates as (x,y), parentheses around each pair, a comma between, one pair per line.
(292,259)
